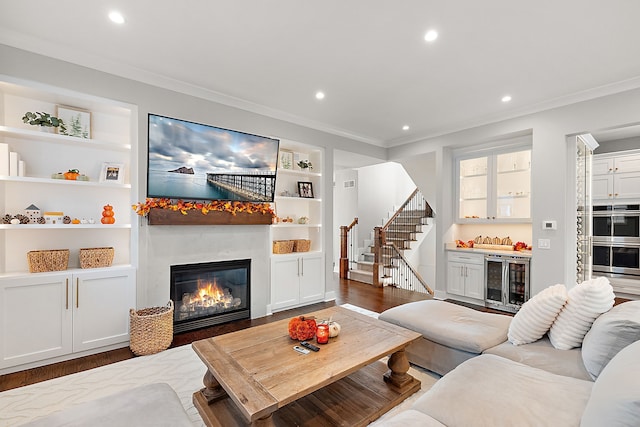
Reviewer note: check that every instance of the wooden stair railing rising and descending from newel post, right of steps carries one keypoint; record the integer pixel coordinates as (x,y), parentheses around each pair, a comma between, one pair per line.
(389,259)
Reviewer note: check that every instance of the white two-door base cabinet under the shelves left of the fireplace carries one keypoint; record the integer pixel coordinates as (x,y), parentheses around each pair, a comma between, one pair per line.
(46,315)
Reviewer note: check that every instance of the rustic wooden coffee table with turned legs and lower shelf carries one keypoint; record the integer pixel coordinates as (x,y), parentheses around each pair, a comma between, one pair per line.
(255,377)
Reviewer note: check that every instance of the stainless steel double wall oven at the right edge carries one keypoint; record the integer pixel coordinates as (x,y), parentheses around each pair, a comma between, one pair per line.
(616,240)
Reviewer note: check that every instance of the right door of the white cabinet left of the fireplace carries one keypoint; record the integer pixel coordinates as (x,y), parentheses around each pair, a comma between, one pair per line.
(101,304)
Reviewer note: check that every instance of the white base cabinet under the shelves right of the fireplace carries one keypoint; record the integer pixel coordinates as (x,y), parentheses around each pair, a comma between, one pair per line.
(296,279)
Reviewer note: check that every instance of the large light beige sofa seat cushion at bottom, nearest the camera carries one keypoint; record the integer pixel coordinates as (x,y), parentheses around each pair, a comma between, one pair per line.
(493,391)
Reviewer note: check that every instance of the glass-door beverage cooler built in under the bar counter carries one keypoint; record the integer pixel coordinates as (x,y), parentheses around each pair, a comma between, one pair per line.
(506,282)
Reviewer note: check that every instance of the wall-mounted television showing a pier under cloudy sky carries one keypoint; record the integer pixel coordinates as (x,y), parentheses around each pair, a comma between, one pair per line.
(188,160)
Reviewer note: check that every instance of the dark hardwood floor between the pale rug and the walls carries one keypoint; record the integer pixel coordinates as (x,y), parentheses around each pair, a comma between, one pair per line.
(355,293)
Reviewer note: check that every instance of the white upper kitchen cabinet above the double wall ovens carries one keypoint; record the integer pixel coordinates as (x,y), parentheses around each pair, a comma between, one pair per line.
(616,177)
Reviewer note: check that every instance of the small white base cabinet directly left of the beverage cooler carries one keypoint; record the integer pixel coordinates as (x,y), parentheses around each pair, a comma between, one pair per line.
(465,275)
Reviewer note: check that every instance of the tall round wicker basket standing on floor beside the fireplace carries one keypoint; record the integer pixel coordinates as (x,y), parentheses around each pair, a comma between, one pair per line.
(151,329)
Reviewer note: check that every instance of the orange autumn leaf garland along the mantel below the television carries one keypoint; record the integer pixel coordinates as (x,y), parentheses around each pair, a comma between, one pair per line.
(233,207)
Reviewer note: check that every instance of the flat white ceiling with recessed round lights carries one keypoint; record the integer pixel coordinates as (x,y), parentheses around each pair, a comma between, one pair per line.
(368,56)
